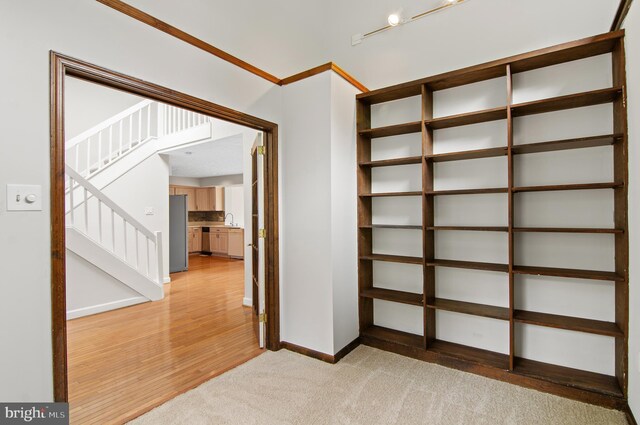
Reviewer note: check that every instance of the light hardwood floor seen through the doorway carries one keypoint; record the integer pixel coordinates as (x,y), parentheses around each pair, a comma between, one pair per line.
(124,362)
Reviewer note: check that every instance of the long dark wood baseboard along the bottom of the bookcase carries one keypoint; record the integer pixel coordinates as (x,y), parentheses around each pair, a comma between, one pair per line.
(499,374)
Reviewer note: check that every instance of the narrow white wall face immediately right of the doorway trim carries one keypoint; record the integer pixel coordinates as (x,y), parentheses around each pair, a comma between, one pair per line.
(306,214)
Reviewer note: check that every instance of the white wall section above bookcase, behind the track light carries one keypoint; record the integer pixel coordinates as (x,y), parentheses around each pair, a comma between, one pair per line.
(471,33)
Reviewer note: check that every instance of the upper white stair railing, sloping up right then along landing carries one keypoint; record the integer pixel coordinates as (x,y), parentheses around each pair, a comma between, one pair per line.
(100,146)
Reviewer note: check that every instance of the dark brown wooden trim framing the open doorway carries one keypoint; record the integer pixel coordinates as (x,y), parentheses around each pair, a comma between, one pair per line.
(62,66)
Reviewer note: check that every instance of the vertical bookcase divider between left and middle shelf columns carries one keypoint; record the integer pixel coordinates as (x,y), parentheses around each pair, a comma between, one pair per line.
(428,235)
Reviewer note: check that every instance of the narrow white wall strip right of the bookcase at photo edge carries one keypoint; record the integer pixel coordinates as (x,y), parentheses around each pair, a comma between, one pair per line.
(632,40)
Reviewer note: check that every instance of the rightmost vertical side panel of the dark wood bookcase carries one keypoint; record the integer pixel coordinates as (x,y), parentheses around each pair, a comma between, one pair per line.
(620,173)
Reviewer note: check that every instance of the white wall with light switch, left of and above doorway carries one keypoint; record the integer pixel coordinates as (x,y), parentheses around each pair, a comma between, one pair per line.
(97,34)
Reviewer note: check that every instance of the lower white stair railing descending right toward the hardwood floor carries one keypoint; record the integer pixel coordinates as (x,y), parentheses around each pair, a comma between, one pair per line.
(99,218)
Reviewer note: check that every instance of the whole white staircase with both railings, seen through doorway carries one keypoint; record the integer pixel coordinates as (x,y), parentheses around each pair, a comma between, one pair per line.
(99,230)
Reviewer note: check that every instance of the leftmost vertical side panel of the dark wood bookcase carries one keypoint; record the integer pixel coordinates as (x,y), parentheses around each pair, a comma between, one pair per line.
(365,235)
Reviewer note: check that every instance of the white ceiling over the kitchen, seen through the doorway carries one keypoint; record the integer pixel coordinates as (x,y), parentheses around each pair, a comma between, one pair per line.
(220,157)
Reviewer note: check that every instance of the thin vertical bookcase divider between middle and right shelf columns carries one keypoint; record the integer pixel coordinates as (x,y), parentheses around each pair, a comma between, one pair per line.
(510,195)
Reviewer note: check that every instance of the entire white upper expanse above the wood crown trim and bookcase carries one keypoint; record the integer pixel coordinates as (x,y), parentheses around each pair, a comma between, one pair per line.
(284,37)
